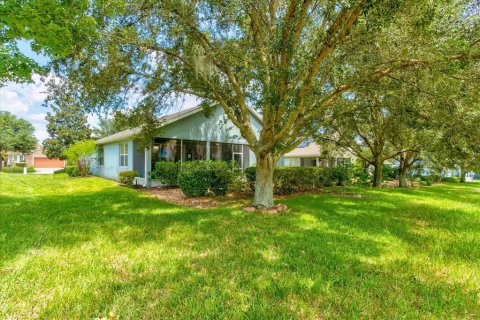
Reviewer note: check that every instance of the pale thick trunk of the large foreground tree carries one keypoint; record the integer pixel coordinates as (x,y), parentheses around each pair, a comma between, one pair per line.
(264,182)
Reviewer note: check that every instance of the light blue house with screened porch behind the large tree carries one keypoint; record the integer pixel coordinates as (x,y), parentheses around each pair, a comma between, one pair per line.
(184,136)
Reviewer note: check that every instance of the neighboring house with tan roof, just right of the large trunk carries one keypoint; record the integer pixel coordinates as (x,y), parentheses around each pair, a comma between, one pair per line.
(310,155)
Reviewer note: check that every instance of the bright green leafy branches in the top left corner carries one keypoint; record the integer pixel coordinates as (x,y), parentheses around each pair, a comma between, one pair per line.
(55,28)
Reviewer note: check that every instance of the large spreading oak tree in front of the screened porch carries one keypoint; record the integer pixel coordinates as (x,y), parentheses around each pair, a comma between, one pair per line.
(291,61)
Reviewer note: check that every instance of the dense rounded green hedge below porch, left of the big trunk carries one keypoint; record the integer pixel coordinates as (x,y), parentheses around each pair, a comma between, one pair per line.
(197,178)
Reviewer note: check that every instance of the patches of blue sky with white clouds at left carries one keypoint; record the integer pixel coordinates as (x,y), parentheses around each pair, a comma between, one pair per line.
(25,100)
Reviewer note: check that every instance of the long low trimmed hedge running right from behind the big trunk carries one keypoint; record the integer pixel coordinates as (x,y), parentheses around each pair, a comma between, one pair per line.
(288,180)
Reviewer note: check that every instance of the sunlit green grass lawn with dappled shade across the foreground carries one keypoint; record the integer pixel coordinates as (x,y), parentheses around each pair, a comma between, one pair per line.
(85,248)
